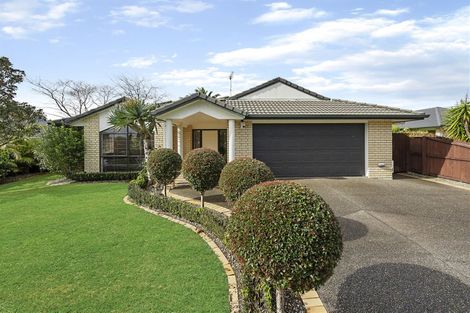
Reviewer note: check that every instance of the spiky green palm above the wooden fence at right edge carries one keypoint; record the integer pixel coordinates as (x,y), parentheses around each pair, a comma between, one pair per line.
(458,121)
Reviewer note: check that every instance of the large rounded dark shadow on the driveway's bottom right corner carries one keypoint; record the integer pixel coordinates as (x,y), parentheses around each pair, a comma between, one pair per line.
(399,287)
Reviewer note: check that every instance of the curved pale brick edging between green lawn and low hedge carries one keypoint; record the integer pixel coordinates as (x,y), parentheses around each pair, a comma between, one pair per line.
(229,271)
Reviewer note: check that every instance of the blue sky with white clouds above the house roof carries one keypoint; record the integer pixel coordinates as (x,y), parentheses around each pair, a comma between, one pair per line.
(409,54)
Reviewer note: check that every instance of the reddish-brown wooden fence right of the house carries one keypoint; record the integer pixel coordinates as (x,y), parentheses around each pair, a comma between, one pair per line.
(432,156)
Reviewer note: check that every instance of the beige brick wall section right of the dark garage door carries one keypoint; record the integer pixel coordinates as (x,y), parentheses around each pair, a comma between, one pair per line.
(379,141)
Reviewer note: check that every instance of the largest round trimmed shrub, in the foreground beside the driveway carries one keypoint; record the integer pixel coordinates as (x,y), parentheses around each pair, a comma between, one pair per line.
(286,235)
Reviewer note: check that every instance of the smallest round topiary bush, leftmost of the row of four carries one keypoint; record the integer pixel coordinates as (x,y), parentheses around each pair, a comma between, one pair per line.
(164,165)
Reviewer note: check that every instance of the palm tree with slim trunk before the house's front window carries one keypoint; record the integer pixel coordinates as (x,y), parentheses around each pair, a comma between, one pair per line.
(137,115)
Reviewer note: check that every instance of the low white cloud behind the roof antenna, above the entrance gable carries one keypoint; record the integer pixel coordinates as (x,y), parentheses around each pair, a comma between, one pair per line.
(210,78)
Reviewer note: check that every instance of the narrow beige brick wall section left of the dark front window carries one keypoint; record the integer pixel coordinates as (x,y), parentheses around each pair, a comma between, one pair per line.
(91,136)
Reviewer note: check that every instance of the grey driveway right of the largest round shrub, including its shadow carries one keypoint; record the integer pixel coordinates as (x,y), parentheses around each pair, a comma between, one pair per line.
(406,246)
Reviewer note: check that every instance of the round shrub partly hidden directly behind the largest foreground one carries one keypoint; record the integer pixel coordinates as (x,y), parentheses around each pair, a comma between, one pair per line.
(240,175)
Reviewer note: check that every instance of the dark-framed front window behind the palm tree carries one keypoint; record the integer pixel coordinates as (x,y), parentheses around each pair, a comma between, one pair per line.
(121,150)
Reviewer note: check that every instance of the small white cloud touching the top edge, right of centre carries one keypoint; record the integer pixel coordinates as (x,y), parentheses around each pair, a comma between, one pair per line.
(284,12)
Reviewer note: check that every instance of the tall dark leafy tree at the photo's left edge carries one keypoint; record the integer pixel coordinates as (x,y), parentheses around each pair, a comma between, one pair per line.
(17,119)
